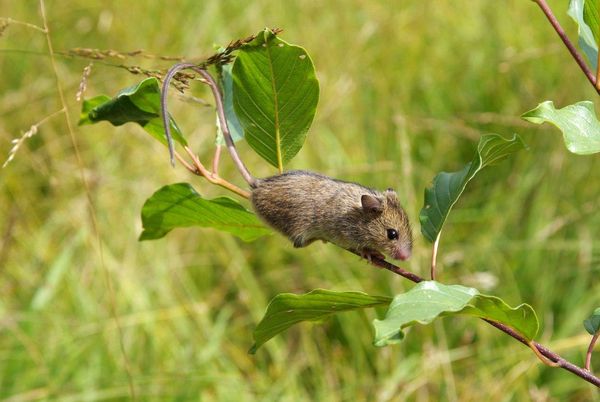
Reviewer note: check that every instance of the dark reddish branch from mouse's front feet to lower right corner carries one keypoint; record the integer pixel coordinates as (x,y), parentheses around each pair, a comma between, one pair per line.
(554,358)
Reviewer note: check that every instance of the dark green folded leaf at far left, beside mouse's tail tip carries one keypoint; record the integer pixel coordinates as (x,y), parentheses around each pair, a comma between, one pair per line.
(139,103)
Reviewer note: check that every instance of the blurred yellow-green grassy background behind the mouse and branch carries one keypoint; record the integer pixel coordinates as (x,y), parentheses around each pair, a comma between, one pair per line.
(87,312)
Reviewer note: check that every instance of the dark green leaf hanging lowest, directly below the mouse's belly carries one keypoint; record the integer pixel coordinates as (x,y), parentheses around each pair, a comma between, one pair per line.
(287,309)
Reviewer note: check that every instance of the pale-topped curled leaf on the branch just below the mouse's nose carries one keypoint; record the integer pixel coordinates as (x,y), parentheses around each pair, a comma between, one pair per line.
(429,300)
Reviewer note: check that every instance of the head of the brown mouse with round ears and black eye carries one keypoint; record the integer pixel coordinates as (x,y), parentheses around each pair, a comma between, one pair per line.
(388,229)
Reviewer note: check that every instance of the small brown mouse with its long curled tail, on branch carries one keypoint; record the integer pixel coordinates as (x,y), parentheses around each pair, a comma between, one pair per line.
(307,206)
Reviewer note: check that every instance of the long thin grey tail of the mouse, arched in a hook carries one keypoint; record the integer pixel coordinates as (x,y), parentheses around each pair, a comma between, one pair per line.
(251,180)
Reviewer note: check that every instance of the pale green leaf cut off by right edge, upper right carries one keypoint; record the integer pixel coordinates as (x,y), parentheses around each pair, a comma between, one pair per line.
(578,123)
